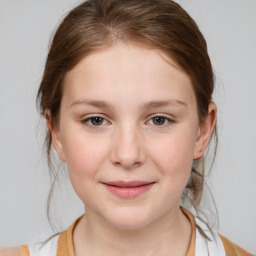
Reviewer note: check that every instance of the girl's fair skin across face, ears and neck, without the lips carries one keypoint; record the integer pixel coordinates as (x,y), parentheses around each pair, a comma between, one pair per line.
(130,145)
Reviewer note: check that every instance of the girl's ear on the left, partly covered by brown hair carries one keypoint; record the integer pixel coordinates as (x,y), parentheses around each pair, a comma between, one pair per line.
(55,133)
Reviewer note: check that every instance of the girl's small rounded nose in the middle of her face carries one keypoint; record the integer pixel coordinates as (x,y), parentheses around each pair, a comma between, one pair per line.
(127,148)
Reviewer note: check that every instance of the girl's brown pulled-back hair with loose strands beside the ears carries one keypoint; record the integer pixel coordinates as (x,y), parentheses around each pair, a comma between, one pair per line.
(158,24)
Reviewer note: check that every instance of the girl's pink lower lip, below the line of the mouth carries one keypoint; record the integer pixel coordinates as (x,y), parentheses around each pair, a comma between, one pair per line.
(129,192)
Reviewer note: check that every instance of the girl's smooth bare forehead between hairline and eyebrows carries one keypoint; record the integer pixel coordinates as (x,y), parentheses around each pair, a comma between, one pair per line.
(124,71)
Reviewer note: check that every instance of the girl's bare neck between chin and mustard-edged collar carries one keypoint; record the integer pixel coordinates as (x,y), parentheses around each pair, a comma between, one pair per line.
(169,235)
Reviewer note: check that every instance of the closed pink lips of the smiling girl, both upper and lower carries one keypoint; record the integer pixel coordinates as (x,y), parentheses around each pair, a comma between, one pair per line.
(128,189)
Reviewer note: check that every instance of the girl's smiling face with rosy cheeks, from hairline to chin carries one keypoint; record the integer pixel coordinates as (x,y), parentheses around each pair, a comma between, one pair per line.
(129,131)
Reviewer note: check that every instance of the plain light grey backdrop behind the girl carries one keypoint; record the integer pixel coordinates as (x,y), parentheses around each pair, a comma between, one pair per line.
(229,27)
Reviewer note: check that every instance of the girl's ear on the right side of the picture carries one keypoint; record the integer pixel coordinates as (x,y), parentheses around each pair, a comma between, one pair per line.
(205,131)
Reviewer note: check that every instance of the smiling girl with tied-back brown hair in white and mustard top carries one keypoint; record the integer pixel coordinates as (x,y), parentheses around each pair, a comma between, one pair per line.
(127,98)
